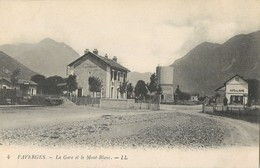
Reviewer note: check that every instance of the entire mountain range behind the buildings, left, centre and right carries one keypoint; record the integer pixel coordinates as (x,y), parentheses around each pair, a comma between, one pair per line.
(202,70)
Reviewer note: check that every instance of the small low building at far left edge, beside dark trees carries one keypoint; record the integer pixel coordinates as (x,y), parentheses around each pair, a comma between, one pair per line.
(26,87)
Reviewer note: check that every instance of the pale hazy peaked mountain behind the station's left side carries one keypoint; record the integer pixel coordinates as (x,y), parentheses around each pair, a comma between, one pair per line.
(47,57)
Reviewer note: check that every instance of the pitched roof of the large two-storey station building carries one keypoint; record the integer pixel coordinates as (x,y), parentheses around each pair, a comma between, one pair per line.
(105,60)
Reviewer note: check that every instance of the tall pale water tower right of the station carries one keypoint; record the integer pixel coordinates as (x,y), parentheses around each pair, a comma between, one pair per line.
(164,76)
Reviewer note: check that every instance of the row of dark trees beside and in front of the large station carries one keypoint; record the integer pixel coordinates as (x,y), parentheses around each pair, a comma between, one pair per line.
(57,84)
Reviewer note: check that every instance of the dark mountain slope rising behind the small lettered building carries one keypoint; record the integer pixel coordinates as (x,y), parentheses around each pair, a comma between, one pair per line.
(209,65)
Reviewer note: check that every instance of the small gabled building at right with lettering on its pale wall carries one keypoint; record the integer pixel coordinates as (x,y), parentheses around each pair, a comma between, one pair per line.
(235,90)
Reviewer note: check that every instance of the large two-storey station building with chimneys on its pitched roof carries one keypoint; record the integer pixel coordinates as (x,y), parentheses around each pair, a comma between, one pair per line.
(109,71)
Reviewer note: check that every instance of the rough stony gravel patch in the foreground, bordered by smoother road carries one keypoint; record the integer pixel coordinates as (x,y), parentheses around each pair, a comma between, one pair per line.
(155,130)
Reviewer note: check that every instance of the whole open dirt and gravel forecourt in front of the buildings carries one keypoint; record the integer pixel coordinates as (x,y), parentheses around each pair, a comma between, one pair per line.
(172,126)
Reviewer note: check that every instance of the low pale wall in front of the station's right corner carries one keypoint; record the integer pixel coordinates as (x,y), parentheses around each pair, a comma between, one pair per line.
(117,103)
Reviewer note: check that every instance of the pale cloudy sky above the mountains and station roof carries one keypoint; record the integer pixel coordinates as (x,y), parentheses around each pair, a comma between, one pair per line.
(141,33)
